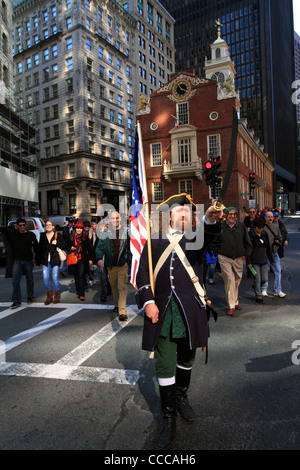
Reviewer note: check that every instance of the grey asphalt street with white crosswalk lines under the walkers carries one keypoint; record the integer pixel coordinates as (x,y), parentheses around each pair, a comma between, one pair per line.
(75,378)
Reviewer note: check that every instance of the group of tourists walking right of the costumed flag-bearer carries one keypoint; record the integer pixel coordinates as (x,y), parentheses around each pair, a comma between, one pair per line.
(260,240)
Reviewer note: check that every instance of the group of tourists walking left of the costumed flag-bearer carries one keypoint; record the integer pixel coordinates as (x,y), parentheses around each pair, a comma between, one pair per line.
(110,250)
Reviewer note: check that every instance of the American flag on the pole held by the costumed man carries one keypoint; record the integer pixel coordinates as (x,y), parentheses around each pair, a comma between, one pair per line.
(138,228)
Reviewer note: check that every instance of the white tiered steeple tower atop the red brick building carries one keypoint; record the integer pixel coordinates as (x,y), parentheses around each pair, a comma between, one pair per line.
(221,68)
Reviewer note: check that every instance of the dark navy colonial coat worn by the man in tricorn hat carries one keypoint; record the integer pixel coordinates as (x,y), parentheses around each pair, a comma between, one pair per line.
(173,279)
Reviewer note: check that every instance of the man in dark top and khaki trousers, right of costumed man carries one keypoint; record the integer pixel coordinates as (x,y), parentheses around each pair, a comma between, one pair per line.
(235,245)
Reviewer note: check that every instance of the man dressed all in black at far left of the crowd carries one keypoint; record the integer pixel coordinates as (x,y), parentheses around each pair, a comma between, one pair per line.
(23,244)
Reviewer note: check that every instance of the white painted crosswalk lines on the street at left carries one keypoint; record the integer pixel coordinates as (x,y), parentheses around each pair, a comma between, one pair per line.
(70,366)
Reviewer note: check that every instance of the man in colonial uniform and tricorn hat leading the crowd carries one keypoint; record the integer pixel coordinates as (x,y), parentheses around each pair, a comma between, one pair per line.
(175,322)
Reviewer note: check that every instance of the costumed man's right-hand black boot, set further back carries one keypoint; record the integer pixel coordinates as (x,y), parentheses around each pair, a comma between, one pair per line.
(183,378)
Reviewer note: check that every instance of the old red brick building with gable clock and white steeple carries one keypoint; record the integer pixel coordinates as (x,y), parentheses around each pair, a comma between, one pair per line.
(189,120)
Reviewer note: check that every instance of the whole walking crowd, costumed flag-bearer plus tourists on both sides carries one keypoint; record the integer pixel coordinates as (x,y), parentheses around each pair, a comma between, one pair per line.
(175,302)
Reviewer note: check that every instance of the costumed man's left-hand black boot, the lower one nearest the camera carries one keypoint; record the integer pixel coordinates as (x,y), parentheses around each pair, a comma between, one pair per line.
(168,407)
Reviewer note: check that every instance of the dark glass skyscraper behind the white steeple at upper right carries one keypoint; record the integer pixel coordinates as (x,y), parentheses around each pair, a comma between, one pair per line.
(261,43)
